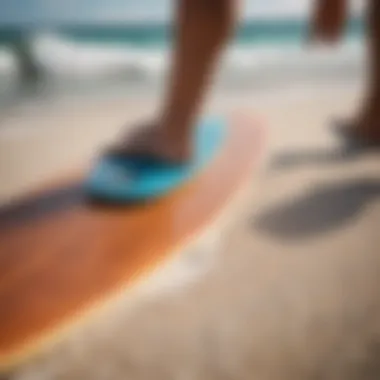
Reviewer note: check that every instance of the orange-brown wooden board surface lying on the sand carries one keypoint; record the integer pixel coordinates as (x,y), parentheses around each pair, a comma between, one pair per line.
(61,255)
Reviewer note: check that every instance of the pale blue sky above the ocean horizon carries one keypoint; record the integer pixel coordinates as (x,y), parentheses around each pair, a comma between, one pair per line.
(22,11)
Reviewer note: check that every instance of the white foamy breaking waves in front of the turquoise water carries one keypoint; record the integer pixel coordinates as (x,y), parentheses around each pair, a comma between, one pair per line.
(63,58)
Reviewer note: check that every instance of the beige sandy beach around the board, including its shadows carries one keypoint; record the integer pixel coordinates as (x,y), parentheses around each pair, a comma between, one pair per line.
(294,291)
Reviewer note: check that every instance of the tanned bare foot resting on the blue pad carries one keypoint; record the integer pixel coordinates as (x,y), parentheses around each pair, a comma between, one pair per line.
(152,140)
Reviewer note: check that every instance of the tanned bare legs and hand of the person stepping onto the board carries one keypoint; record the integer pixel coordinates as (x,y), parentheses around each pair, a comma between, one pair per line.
(203,29)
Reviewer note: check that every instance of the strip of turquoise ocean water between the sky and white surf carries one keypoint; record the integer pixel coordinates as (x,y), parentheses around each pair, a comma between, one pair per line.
(154,35)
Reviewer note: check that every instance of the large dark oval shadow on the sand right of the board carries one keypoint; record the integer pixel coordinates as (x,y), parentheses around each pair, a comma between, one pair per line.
(324,209)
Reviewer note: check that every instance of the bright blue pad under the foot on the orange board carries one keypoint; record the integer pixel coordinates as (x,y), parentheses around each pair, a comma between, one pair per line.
(126,179)
